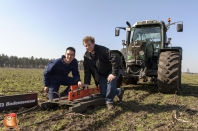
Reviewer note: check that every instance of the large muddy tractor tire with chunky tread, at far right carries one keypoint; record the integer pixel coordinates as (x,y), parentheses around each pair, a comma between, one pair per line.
(169,72)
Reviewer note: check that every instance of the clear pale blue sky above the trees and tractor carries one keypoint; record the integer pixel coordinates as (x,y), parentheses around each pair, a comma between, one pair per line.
(45,28)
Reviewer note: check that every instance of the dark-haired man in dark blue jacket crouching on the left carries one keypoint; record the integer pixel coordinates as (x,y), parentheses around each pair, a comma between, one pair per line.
(56,74)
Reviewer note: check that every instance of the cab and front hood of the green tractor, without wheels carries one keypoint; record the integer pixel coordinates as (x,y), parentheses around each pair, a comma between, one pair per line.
(144,47)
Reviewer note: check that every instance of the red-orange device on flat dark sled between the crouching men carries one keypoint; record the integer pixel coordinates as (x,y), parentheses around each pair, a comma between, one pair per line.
(79,99)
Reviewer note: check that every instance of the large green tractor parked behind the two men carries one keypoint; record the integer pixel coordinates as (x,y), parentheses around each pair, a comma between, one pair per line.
(148,53)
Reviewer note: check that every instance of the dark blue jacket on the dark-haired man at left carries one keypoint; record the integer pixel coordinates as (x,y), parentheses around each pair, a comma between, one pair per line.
(57,71)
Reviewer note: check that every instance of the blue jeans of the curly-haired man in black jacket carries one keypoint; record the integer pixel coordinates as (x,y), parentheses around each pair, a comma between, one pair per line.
(108,90)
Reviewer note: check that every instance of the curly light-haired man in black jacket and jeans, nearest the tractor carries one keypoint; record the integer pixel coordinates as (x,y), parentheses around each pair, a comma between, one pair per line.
(103,65)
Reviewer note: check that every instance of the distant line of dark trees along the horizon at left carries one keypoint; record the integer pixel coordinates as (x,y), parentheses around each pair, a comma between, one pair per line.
(25,62)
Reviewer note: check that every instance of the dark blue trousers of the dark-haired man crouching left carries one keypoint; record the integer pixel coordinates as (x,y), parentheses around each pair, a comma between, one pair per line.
(54,88)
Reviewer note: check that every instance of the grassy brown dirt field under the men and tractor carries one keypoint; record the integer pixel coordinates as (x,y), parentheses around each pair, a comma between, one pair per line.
(142,109)
